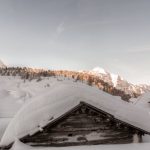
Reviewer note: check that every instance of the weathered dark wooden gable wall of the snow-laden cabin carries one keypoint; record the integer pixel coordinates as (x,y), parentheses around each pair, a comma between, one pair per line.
(85,125)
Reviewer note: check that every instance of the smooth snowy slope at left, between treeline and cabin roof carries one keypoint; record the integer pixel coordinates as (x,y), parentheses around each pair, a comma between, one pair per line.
(14,93)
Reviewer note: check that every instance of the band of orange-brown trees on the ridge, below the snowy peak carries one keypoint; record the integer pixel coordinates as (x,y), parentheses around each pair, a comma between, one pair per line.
(92,80)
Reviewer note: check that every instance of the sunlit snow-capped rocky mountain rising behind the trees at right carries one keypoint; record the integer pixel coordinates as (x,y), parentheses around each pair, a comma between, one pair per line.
(118,82)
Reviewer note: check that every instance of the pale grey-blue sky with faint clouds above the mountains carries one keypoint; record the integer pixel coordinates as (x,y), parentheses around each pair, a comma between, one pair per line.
(78,35)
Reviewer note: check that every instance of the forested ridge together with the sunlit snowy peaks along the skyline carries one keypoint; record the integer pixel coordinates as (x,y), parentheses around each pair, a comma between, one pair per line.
(108,82)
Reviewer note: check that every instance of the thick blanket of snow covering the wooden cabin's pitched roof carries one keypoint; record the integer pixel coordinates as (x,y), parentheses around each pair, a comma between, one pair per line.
(60,99)
